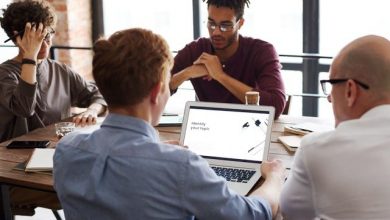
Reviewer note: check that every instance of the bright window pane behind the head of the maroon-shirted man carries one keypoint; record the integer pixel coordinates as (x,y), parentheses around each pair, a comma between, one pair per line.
(271,21)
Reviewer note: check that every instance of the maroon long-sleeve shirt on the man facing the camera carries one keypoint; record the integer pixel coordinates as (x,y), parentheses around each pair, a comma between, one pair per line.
(255,63)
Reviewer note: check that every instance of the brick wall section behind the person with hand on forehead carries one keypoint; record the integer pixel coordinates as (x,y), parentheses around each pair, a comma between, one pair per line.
(74,28)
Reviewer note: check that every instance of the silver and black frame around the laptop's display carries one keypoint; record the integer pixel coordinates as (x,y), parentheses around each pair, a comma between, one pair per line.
(228,107)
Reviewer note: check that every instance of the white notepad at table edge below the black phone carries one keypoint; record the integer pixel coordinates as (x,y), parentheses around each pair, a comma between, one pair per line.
(41,160)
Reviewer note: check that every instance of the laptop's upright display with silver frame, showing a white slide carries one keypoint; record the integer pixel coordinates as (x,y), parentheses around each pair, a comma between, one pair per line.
(229,131)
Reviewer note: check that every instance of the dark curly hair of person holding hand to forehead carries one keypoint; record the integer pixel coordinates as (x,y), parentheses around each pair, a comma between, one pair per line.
(17,14)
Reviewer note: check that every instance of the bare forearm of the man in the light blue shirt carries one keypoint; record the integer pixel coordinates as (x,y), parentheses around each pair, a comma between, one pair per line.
(270,190)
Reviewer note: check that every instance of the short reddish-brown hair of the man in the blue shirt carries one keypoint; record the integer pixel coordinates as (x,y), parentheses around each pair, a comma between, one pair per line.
(129,64)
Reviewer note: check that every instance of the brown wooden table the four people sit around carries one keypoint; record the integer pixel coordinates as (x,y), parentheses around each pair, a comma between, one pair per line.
(9,158)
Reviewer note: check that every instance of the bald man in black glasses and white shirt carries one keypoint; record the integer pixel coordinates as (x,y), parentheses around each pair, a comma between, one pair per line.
(344,174)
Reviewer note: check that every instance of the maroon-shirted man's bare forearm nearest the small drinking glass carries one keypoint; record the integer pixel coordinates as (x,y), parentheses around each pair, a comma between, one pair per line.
(237,88)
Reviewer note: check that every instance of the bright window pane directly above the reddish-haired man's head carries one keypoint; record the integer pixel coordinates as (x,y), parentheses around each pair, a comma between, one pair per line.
(171,19)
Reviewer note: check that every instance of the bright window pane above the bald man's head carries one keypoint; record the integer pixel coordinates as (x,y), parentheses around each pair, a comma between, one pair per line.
(359,17)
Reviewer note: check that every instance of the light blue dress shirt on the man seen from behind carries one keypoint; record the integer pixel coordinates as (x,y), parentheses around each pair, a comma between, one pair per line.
(123,171)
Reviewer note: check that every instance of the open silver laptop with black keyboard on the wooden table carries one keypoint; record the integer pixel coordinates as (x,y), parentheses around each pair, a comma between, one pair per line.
(233,138)
